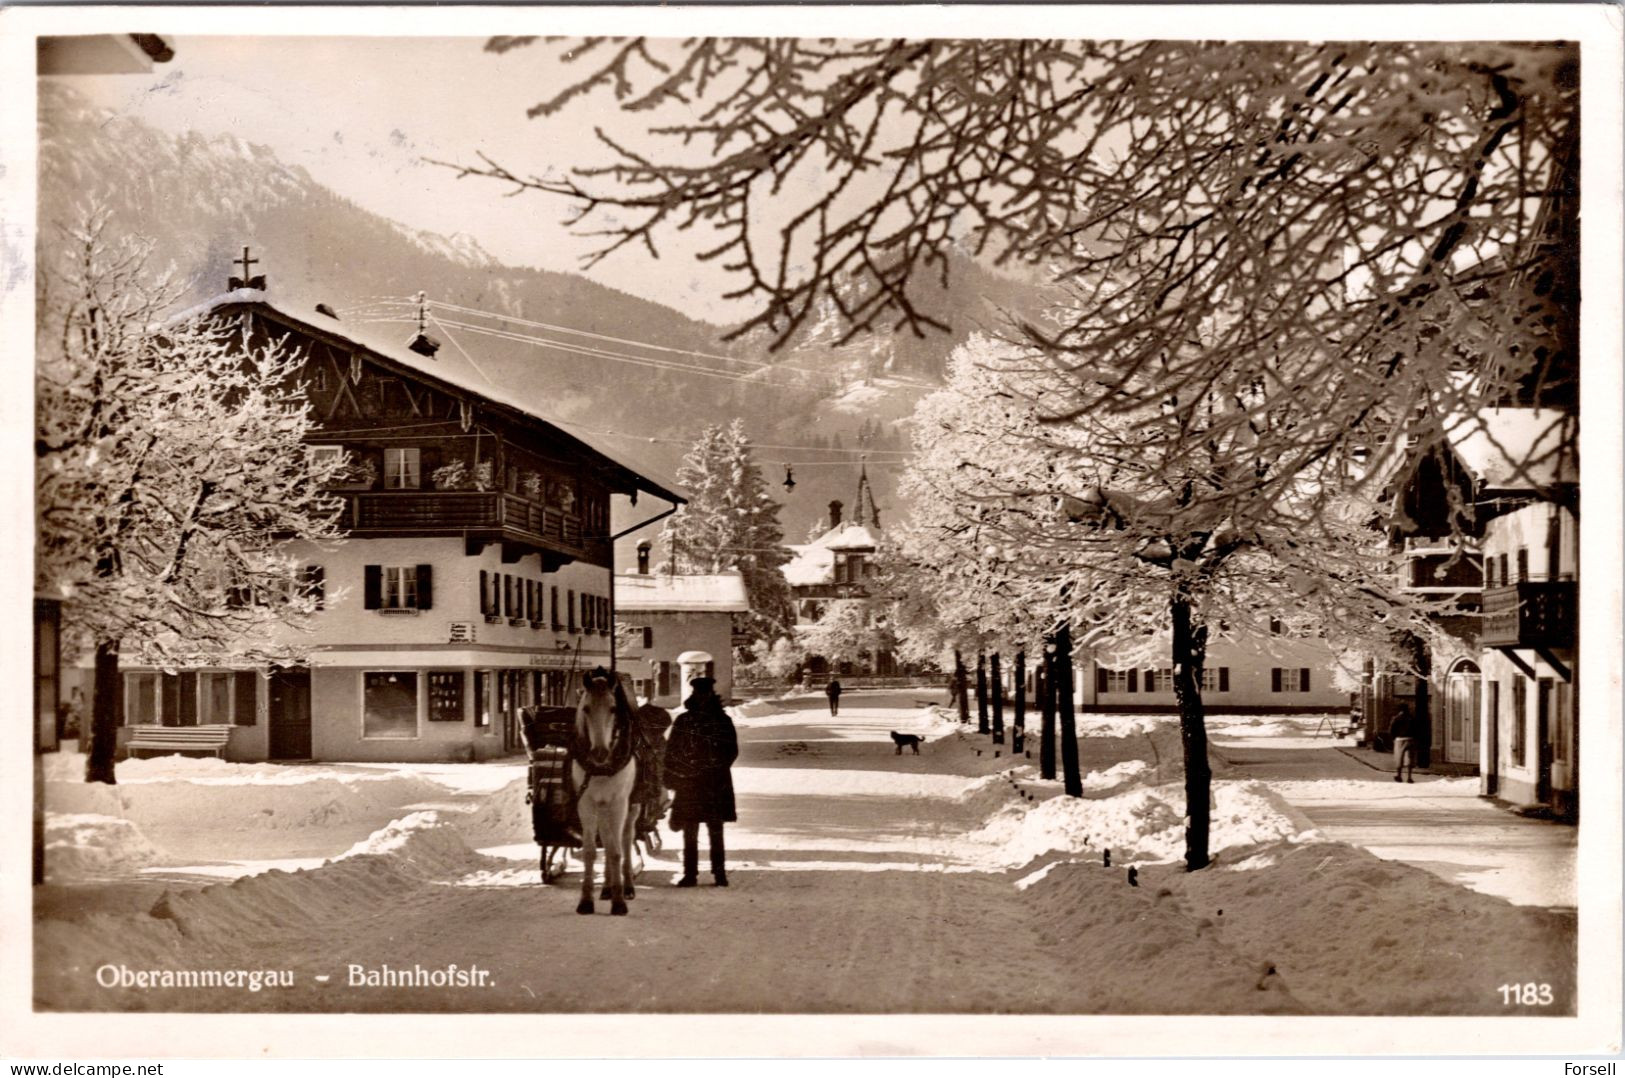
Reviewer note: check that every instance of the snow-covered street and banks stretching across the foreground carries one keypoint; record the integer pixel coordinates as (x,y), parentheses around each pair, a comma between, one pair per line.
(864,880)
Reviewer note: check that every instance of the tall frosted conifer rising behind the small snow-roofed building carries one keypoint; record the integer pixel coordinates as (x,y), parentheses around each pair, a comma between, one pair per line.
(732,523)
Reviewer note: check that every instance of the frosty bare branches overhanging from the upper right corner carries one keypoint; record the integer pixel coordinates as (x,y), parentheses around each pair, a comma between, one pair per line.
(1382,211)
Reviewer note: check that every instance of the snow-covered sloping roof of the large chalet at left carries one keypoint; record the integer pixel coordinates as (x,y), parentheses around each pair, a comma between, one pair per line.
(449,367)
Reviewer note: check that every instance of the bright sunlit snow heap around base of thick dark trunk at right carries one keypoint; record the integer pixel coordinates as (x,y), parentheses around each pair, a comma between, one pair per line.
(1142,825)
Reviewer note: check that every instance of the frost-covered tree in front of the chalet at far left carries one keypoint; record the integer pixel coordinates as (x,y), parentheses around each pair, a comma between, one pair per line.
(170,474)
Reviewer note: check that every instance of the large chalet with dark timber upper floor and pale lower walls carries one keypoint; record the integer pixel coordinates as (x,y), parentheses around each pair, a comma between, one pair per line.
(475,576)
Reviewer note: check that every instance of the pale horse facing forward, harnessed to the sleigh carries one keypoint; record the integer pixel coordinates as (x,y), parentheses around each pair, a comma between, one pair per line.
(605,772)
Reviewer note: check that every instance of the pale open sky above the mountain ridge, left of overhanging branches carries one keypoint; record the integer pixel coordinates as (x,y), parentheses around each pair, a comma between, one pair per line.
(363,115)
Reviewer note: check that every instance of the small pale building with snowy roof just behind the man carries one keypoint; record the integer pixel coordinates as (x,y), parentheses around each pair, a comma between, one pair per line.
(664,617)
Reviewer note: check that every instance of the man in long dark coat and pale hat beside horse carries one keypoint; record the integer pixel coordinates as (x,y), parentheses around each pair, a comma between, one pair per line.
(700,755)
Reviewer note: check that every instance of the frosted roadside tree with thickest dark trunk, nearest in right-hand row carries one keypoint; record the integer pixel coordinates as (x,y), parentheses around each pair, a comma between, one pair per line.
(1142,532)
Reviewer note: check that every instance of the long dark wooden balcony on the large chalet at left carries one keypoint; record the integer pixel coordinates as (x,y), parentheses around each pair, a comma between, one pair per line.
(485,516)
